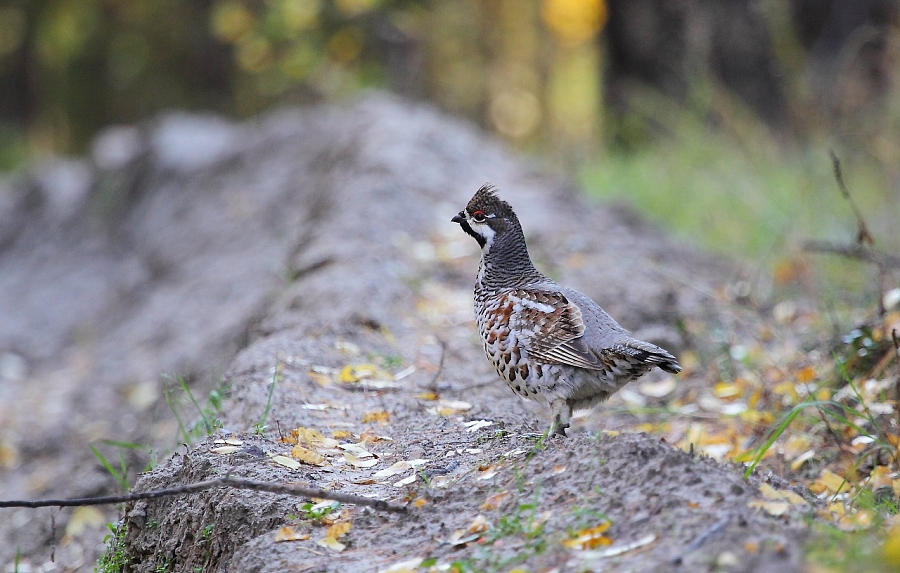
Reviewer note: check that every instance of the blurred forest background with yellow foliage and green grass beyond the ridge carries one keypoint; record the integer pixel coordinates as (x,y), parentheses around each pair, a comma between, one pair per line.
(714,117)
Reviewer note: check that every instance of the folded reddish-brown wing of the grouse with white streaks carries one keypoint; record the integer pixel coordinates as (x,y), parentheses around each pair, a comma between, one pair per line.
(550,327)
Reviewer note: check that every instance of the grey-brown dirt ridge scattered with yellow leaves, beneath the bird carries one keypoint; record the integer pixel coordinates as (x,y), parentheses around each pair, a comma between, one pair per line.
(313,250)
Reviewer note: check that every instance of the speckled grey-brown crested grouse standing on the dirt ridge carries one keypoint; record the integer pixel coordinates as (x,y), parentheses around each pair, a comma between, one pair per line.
(549,343)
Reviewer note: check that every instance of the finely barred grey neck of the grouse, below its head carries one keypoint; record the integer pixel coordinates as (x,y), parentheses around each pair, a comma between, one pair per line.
(505,263)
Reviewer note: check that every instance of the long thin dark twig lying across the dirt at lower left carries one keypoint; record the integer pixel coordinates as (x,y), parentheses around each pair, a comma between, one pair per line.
(233,482)
